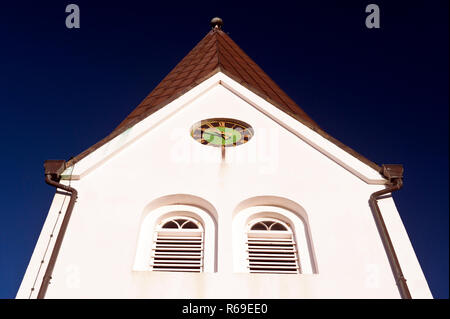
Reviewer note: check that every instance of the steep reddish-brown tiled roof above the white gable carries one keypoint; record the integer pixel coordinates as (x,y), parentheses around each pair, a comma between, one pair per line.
(216,52)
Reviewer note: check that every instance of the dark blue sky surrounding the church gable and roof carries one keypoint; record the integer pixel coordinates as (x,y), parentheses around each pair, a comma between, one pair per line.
(382,92)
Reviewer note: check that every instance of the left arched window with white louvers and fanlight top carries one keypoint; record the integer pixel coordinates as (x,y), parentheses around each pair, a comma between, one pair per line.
(178,245)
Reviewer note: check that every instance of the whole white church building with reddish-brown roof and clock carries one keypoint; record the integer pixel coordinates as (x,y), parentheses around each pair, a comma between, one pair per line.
(218,185)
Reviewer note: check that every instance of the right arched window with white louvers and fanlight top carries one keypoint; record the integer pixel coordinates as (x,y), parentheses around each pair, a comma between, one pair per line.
(271,247)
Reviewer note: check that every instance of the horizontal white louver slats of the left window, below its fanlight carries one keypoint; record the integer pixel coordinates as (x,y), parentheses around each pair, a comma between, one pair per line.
(181,254)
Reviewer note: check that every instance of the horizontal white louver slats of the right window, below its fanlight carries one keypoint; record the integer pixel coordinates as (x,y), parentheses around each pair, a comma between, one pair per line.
(272,255)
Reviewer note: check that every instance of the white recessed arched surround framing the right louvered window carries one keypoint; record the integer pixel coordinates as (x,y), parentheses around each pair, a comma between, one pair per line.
(248,215)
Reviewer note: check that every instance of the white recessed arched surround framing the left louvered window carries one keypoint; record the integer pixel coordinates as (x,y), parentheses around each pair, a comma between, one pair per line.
(156,217)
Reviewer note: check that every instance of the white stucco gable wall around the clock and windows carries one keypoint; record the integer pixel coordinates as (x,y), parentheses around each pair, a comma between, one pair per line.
(162,159)
